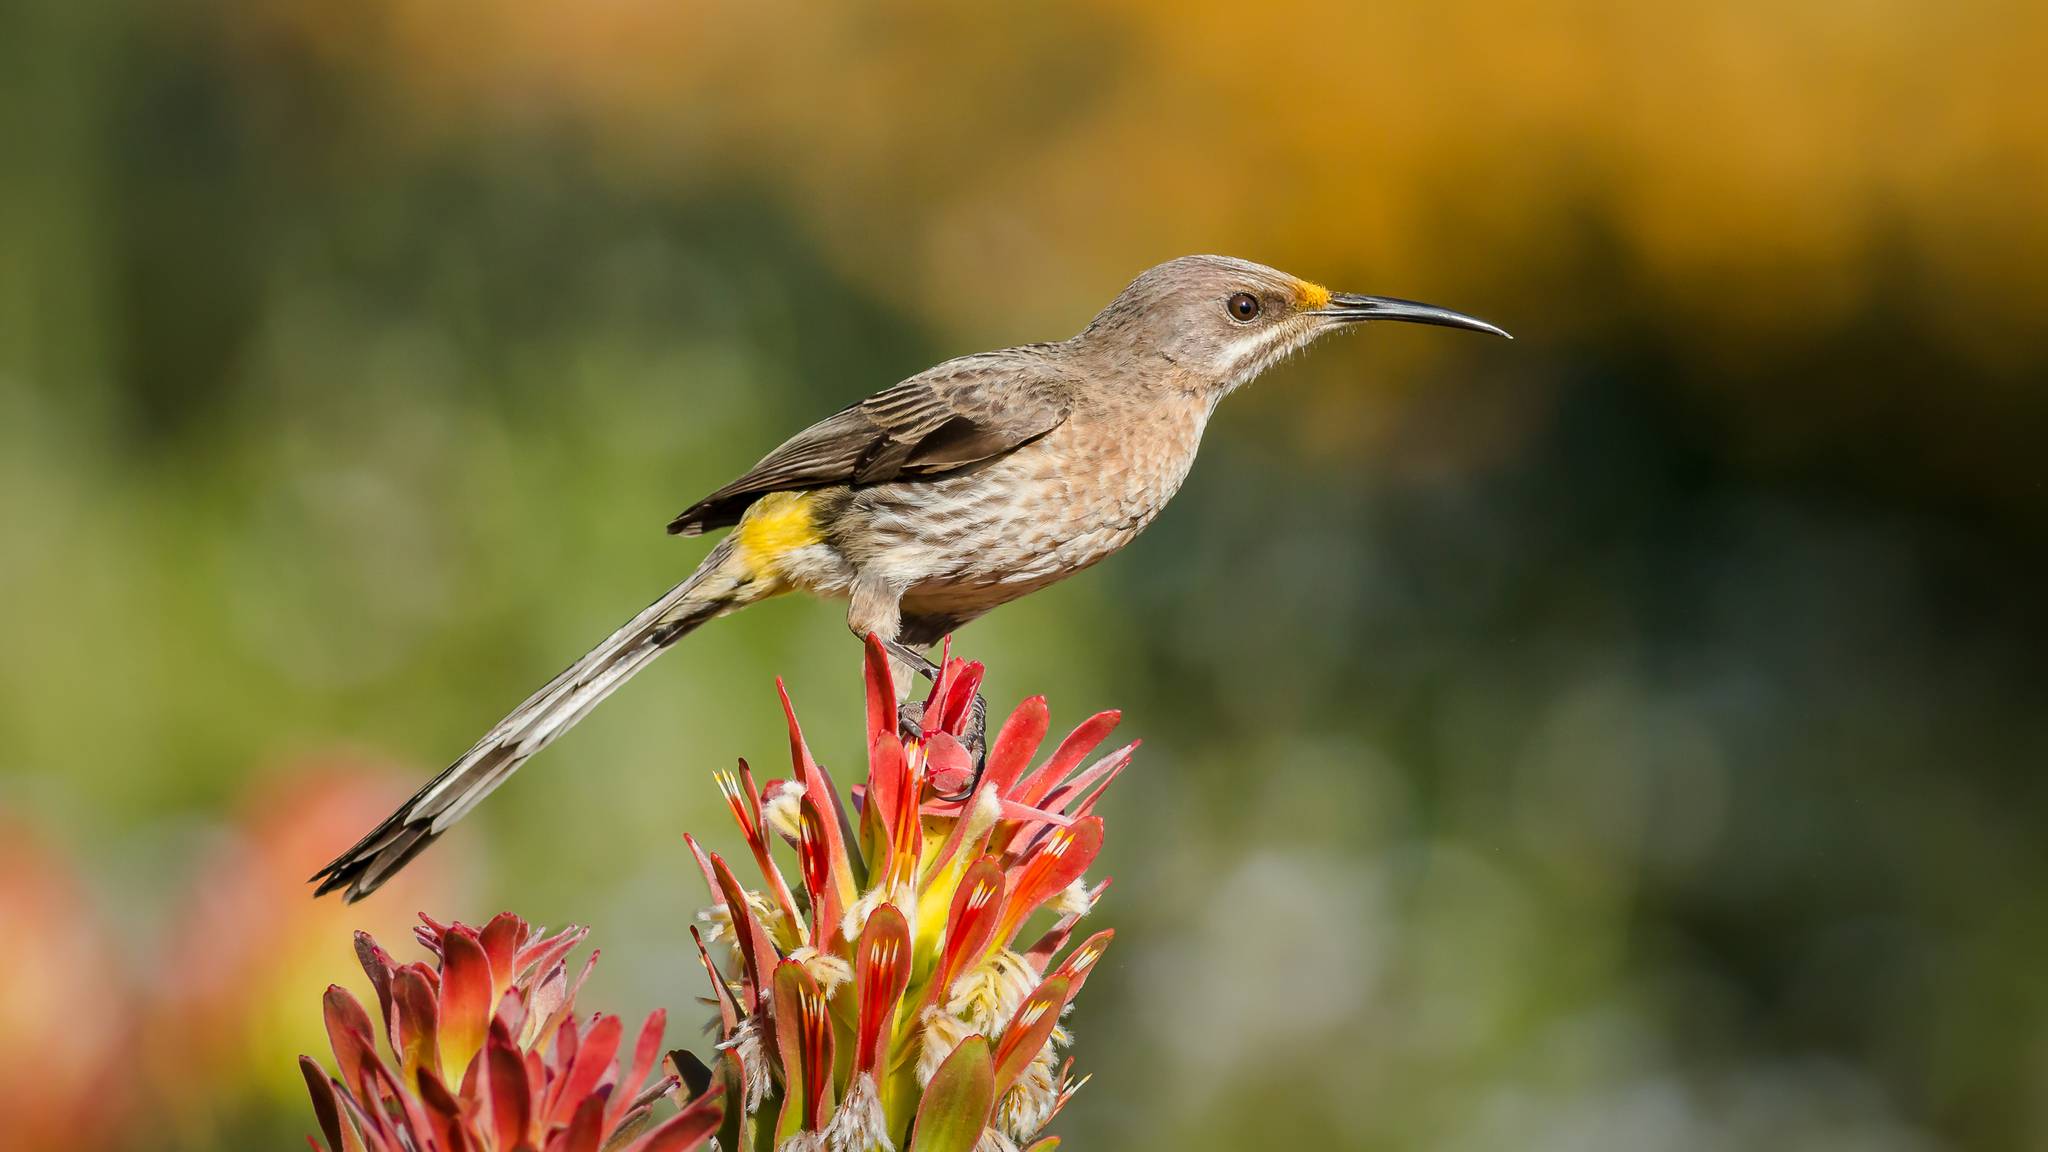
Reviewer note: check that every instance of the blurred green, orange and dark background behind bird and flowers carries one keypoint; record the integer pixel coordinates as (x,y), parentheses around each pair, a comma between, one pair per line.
(1629,737)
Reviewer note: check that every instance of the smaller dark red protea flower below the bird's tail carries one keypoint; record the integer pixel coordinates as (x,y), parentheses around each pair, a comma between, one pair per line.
(488,1055)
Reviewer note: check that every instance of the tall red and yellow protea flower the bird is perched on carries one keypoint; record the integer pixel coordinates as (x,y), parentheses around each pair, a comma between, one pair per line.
(890,999)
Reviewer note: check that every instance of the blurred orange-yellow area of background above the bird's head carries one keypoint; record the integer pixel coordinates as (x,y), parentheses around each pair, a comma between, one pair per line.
(1750,155)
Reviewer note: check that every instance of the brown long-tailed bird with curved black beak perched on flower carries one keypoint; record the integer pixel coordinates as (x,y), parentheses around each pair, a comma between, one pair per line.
(931,503)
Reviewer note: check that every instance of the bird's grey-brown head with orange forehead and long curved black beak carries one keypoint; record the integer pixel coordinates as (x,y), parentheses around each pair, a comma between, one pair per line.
(1222,321)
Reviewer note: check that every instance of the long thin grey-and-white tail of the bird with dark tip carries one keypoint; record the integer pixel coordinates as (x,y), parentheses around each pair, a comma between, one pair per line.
(718,587)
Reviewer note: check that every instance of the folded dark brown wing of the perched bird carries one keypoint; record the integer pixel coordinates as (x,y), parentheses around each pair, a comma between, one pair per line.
(955,415)
